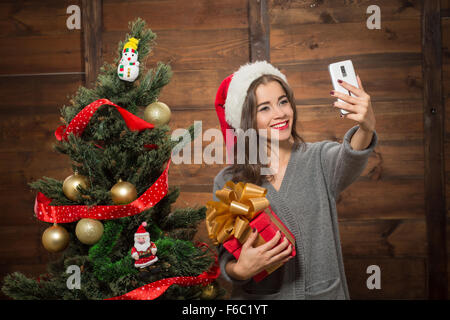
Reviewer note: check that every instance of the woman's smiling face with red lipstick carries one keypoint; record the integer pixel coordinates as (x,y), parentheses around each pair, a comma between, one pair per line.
(273,110)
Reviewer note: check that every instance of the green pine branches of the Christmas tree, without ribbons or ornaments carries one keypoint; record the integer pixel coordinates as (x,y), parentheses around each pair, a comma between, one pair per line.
(106,152)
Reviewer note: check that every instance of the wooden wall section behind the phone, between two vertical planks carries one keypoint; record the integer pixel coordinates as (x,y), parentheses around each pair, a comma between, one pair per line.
(382,220)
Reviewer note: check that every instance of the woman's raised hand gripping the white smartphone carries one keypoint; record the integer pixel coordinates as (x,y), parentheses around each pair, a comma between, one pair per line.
(359,105)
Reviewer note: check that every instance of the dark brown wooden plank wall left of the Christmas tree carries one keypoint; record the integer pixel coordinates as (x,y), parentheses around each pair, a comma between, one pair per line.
(42,65)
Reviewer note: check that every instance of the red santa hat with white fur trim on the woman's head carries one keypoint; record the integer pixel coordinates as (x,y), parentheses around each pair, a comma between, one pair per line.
(232,92)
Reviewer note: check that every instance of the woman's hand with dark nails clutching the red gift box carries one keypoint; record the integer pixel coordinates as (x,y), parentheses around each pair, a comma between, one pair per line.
(253,260)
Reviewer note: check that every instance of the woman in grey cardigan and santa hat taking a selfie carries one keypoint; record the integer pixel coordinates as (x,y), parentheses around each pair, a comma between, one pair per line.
(302,192)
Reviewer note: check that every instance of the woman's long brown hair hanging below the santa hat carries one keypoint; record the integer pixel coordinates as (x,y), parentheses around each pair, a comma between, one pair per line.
(248,172)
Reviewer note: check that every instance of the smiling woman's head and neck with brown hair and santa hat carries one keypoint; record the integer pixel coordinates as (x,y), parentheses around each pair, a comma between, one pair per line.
(268,105)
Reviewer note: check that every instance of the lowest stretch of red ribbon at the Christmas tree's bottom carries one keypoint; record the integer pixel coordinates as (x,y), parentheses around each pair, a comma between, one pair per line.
(155,289)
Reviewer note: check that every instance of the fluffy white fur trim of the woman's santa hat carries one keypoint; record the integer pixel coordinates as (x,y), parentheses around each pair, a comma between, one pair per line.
(240,82)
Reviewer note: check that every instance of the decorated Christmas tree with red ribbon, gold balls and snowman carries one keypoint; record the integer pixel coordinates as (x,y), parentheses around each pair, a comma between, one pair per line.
(118,159)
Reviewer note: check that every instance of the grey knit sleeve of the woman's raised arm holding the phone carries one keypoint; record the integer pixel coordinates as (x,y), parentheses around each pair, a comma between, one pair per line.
(341,164)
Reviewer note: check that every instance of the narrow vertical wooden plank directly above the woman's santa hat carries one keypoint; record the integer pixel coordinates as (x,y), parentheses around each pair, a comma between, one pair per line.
(259,30)
